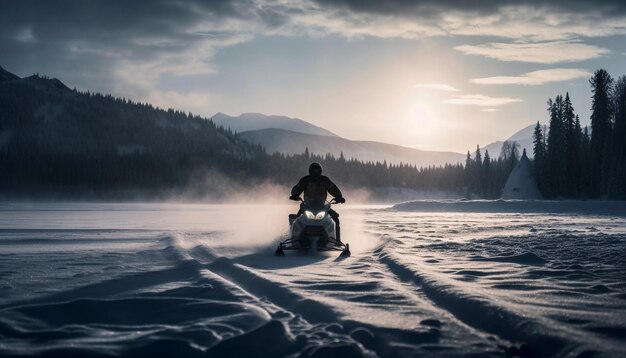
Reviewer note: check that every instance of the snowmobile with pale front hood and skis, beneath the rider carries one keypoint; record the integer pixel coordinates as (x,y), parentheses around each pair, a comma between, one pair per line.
(314,229)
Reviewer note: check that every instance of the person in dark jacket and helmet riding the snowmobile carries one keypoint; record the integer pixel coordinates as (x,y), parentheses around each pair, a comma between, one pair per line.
(315,186)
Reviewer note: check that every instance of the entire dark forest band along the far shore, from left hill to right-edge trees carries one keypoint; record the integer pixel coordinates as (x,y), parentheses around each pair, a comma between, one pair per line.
(60,142)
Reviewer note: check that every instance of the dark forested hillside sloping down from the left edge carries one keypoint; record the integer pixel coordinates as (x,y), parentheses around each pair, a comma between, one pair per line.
(54,137)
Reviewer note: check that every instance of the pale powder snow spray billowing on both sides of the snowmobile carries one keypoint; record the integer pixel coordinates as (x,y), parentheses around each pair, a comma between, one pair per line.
(263,208)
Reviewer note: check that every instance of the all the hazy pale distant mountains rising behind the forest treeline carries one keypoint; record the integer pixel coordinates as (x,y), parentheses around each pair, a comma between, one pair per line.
(293,136)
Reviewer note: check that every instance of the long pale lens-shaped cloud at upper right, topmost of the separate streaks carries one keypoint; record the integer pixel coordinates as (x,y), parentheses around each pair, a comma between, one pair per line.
(542,52)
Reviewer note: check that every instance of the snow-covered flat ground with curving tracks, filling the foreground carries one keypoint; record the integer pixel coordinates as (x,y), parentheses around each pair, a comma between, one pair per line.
(424,279)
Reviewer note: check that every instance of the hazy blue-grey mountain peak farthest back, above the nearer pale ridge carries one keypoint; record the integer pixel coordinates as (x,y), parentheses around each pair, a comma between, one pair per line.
(255,121)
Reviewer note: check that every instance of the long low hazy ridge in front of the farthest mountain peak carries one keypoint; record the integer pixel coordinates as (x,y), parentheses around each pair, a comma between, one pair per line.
(285,141)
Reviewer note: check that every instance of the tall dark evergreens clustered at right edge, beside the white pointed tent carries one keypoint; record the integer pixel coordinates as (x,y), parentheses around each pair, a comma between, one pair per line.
(575,162)
